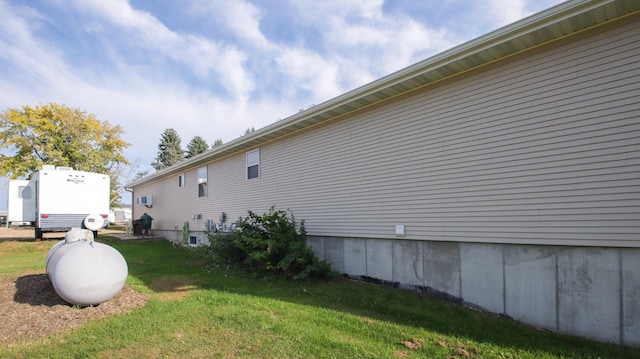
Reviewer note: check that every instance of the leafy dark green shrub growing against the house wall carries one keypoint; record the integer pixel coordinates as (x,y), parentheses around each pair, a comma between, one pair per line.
(269,243)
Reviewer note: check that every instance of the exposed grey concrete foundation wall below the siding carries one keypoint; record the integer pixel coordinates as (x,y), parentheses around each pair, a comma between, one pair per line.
(585,291)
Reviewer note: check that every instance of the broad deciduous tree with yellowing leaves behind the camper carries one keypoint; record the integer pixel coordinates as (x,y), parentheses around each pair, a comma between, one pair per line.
(59,135)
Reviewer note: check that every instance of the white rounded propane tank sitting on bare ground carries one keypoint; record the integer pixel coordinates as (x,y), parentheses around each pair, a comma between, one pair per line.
(84,272)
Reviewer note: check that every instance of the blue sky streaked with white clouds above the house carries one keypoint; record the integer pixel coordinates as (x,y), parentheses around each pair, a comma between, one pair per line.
(217,67)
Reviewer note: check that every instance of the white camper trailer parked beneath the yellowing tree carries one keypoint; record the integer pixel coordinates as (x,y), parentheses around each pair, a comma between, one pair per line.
(59,198)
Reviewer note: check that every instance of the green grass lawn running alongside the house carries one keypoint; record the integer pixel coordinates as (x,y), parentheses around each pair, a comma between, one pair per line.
(199,310)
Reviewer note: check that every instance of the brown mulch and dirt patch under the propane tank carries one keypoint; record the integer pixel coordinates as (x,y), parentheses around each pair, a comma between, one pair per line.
(32,309)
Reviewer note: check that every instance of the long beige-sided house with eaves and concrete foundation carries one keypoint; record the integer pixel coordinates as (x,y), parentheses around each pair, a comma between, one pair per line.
(511,182)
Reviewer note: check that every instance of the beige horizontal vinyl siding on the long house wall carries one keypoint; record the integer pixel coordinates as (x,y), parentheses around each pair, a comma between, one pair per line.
(541,148)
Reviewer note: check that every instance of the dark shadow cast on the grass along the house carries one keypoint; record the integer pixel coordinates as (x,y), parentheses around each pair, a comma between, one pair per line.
(170,270)
